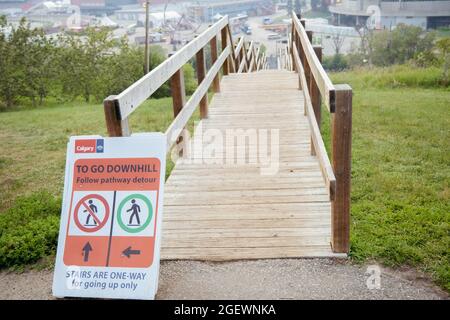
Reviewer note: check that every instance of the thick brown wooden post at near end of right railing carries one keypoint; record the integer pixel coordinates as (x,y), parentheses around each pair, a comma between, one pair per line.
(341,136)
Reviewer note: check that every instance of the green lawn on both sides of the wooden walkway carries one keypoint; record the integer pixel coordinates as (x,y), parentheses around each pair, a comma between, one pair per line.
(400,170)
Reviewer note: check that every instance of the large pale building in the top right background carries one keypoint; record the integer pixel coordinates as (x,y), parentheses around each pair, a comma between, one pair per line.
(386,14)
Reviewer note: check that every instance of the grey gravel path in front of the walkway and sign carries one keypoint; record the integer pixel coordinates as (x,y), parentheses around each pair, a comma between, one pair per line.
(262,279)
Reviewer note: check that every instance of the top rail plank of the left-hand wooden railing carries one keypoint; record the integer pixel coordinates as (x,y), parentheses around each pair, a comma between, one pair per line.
(130,99)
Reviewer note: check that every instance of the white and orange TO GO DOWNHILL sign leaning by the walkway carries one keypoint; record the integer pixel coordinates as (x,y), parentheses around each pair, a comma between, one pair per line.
(110,232)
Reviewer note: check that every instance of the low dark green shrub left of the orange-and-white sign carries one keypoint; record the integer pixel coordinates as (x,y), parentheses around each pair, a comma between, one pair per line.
(29,229)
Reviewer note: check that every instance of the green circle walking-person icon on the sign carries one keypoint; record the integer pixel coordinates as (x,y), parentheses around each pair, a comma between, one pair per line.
(132,211)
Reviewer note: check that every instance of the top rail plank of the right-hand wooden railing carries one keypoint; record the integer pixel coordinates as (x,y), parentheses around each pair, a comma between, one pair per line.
(324,83)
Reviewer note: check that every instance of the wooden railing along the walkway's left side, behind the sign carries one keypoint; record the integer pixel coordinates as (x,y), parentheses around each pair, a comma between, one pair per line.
(119,108)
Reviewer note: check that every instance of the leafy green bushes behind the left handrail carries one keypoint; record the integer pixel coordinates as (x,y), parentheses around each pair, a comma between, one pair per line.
(93,66)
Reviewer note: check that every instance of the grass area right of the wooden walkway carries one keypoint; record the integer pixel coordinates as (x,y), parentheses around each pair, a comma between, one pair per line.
(400,174)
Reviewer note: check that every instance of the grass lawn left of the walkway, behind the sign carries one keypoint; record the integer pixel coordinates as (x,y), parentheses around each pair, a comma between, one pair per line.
(33,142)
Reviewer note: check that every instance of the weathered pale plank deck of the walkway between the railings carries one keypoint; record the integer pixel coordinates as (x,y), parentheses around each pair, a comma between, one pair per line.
(235,212)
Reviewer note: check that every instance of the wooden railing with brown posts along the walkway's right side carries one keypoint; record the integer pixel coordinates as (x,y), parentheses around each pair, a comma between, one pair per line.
(315,84)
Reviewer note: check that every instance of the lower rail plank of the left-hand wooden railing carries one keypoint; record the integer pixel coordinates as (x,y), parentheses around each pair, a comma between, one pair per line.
(174,130)
